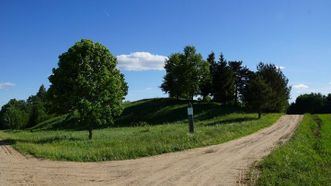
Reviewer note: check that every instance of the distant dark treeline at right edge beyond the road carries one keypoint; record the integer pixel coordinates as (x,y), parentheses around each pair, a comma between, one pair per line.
(311,103)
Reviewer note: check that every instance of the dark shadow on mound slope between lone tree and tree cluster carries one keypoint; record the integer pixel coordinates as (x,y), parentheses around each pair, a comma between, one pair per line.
(168,110)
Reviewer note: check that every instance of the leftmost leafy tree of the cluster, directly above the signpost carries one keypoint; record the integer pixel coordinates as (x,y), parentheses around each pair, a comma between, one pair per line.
(184,74)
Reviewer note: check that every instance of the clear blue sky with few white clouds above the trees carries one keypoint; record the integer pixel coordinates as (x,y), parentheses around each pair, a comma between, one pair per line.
(292,34)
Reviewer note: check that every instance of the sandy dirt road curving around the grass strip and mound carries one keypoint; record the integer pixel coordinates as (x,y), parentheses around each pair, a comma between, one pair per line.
(222,164)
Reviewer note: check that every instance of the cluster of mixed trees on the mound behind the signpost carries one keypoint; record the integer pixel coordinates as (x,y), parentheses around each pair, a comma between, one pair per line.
(228,82)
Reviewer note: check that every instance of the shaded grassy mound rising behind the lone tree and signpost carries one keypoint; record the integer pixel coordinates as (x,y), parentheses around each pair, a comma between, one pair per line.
(147,112)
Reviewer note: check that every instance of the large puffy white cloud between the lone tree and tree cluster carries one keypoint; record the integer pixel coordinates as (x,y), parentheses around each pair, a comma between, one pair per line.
(140,61)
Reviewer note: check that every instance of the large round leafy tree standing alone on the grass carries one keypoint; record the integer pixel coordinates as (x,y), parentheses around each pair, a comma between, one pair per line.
(88,82)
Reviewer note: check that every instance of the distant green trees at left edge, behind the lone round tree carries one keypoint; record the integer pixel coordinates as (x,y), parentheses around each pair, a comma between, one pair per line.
(19,114)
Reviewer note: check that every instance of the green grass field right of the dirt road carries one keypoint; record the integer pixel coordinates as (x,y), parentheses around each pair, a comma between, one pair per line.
(305,159)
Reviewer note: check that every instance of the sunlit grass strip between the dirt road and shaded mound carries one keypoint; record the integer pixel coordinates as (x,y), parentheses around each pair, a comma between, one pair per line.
(133,142)
